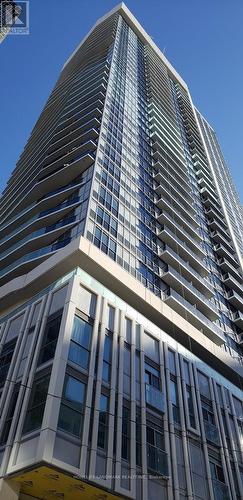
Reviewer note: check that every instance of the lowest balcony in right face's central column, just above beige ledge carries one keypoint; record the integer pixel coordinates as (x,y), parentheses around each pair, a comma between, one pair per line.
(195,317)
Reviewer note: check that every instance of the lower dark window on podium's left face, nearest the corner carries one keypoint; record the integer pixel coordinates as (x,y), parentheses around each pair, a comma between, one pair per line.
(36,406)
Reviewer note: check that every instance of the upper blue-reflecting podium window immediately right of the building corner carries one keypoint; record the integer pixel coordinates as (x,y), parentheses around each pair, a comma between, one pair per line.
(79,351)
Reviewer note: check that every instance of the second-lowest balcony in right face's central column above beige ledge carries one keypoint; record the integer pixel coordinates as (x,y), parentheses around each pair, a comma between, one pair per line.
(189,292)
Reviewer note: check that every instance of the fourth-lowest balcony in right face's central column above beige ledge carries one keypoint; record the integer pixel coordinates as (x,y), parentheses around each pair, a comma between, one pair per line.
(183,250)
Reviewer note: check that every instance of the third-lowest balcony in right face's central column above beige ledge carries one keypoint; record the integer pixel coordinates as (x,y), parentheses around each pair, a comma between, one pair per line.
(172,258)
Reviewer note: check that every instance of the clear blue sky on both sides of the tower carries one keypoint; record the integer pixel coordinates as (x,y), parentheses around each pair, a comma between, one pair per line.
(203,39)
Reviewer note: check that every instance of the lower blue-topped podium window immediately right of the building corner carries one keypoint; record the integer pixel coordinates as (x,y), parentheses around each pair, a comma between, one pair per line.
(71,409)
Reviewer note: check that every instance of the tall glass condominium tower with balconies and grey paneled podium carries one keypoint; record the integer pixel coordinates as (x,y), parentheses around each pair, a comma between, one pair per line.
(121,289)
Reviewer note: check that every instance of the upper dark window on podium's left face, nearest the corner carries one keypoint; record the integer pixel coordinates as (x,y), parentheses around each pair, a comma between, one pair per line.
(49,339)
